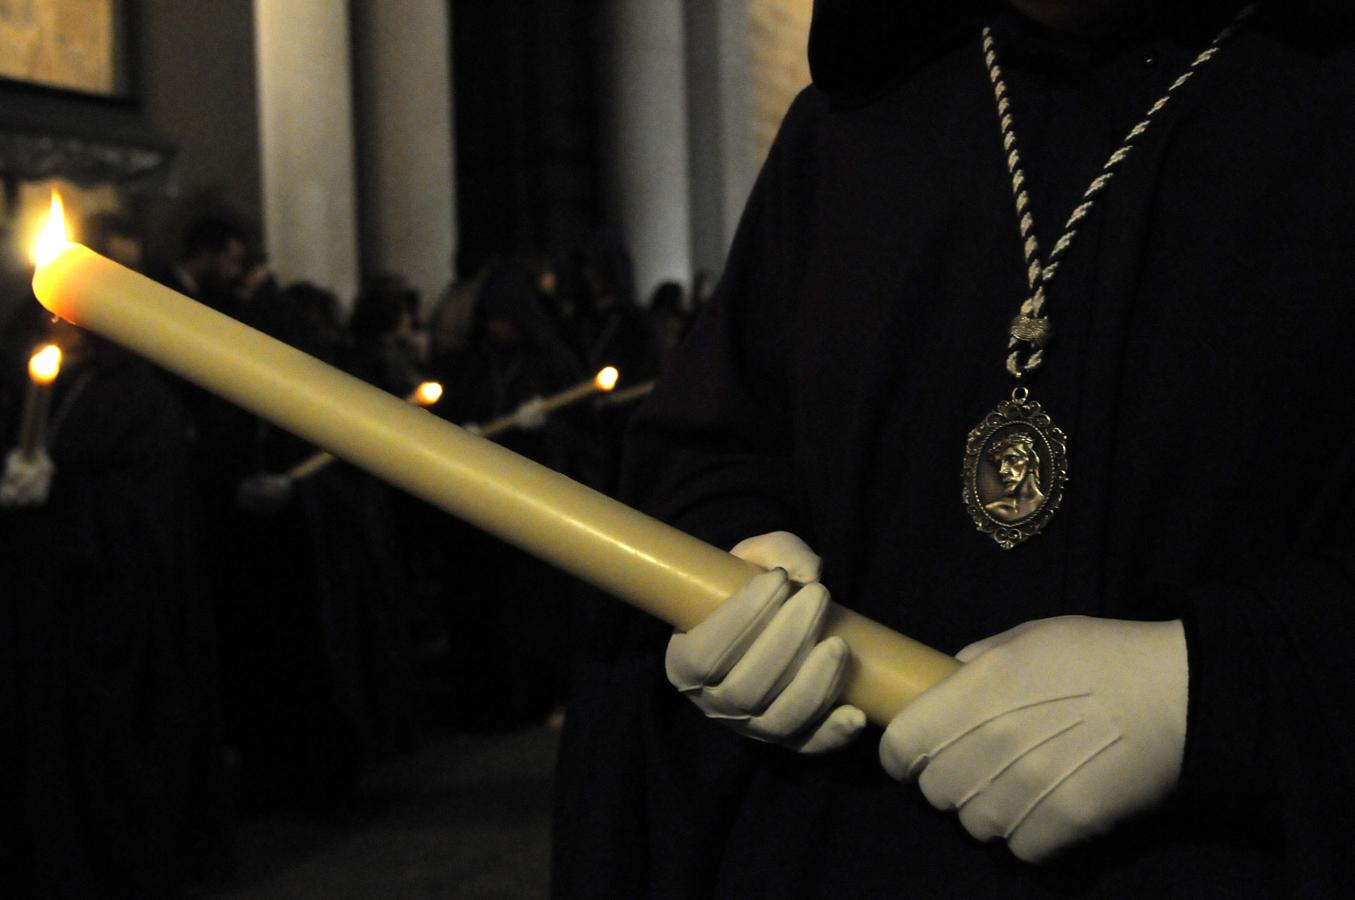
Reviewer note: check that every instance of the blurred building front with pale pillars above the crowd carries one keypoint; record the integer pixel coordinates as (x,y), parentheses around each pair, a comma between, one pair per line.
(411,136)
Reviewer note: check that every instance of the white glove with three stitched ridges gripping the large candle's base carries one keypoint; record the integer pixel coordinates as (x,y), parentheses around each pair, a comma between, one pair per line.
(1051,733)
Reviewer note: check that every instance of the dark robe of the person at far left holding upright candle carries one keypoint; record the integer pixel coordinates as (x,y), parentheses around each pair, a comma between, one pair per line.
(113,731)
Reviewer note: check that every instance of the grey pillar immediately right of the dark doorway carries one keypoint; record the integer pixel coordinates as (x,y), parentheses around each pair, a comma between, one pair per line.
(644,136)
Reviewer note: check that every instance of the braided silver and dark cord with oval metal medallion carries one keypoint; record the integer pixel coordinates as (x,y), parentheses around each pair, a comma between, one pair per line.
(1017,459)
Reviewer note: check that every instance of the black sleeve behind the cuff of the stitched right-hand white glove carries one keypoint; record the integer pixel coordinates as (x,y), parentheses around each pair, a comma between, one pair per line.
(1272,697)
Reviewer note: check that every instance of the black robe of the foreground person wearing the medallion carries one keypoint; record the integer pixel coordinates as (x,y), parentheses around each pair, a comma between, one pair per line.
(1200,371)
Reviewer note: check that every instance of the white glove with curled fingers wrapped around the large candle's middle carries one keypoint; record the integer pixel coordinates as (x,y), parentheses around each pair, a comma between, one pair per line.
(757,662)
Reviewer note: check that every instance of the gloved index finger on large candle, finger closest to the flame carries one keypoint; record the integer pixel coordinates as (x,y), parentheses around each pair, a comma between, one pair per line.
(707,654)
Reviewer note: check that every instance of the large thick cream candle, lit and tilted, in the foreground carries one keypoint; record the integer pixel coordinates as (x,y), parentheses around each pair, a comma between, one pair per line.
(621,551)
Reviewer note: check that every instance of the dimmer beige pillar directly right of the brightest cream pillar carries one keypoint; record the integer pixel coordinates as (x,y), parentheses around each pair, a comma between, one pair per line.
(406,169)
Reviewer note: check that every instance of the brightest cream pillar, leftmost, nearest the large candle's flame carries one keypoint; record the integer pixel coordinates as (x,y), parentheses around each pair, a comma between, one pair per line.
(307,148)
